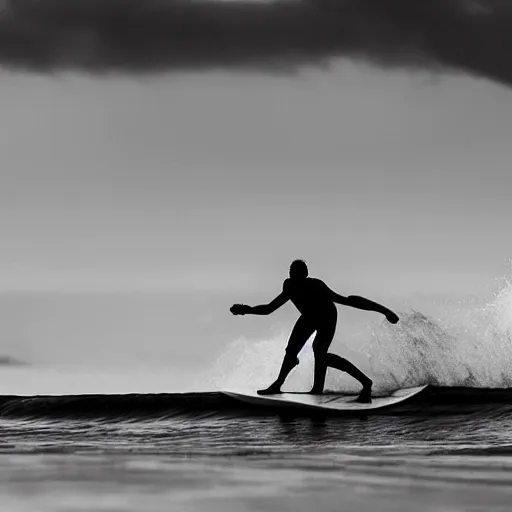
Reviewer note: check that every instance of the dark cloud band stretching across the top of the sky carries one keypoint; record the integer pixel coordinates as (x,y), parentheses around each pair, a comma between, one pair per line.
(137,36)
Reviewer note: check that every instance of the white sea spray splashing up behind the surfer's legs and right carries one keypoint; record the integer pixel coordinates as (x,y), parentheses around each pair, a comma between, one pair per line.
(454,342)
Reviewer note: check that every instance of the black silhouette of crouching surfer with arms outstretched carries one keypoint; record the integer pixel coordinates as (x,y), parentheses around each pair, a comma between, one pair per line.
(316,303)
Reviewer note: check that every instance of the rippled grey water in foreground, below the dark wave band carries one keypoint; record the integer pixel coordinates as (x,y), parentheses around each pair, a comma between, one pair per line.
(257,463)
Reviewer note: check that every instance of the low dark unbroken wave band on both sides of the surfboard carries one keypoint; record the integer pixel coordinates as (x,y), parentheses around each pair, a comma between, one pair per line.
(433,401)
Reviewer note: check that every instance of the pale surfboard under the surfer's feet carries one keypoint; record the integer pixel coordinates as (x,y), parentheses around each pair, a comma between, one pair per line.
(325,402)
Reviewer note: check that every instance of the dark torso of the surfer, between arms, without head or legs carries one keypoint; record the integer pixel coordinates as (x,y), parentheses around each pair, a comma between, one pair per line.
(312,297)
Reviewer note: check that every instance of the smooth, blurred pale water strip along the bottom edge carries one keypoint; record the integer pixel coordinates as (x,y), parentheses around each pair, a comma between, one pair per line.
(309,482)
